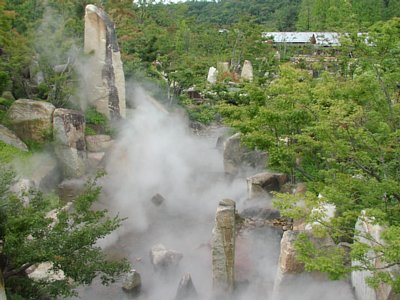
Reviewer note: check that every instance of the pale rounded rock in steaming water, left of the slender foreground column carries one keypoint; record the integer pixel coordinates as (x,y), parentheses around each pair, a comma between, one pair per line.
(163,259)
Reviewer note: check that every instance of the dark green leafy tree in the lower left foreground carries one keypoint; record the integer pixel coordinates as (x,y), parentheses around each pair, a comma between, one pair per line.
(45,231)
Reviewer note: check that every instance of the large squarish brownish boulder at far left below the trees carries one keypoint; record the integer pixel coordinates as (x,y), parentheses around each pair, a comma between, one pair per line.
(31,119)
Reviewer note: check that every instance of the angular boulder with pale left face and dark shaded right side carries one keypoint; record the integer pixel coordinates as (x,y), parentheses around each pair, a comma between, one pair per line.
(261,184)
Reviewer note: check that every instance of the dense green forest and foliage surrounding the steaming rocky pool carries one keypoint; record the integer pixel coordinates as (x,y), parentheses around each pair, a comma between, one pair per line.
(334,125)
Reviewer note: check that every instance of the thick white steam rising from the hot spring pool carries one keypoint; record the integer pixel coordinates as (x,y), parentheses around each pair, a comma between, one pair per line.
(156,153)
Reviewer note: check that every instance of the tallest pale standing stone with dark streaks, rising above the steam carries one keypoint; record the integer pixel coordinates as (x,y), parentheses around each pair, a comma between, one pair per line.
(106,81)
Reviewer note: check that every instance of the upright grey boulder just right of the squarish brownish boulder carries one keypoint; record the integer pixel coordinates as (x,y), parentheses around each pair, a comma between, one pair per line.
(70,145)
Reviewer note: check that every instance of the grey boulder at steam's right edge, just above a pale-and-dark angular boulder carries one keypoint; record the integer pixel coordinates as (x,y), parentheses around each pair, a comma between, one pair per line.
(238,158)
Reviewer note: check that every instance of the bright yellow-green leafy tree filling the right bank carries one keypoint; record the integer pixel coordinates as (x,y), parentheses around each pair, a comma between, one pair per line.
(340,135)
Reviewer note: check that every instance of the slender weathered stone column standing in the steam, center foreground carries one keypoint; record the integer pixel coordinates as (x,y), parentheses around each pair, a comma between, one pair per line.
(223,247)
